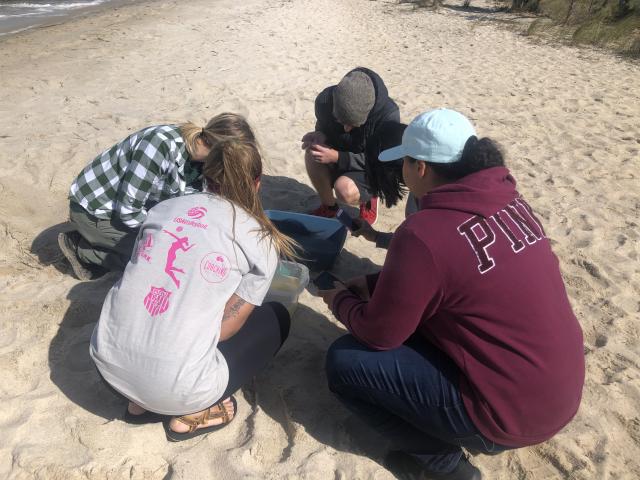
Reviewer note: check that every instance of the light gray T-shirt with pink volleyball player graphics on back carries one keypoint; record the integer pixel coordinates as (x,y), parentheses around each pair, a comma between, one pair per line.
(156,341)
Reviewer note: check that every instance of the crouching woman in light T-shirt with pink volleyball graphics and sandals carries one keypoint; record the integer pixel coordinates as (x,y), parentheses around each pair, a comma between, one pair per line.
(183,328)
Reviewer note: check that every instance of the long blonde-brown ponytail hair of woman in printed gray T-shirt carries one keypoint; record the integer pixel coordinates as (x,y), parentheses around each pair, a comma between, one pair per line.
(231,170)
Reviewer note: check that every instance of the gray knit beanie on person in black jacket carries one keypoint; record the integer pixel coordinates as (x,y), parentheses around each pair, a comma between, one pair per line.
(353,99)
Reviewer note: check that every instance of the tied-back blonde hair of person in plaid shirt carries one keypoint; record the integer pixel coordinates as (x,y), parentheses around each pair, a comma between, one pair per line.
(225,126)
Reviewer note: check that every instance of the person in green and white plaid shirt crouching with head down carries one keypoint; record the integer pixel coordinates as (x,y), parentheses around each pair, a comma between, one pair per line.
(110,198)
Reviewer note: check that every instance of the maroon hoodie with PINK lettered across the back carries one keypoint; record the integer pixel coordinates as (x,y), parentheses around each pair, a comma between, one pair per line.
(473,272)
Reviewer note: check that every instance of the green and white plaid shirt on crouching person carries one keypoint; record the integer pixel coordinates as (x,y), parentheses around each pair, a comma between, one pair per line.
(143,169)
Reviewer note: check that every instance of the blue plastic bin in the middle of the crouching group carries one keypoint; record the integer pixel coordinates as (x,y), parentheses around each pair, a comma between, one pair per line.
(321,238)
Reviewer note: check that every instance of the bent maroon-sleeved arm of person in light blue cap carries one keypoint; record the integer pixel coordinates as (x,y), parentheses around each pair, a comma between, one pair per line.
(407,290)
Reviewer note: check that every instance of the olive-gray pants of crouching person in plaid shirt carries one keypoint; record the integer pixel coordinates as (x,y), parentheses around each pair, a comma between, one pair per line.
(105,243)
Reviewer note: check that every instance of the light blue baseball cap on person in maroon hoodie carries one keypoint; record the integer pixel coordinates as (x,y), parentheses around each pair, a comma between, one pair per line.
(436,136)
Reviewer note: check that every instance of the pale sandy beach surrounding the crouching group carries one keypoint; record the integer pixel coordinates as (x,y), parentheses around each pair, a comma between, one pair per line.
(568,118)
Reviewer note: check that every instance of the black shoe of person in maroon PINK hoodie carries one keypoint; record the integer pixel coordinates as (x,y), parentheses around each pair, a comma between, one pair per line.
(407,467)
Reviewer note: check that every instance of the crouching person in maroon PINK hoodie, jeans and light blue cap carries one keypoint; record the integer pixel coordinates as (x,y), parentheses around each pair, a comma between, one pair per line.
(466,338)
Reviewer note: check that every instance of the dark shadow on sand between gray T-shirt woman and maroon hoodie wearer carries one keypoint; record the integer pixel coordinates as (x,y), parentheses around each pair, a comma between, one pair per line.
(293,391)
